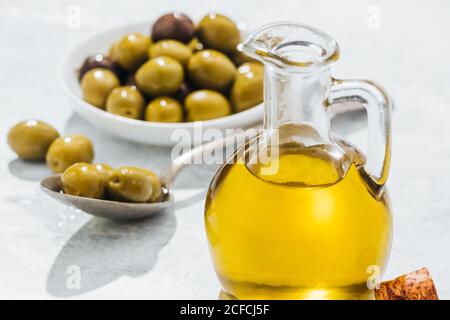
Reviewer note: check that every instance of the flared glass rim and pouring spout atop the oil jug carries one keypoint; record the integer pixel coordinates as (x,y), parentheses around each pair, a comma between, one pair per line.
(292,46)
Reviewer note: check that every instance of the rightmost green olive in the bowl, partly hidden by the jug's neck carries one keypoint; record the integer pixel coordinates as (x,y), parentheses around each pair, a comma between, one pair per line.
(247,90)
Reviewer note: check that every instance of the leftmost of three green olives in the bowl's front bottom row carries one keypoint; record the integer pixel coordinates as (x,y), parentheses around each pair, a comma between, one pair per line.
(126,101)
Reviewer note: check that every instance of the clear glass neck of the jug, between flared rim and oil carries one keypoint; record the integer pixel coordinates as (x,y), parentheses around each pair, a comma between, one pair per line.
(296,98)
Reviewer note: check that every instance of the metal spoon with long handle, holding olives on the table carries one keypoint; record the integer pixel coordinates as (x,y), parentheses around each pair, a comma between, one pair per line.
(128,211)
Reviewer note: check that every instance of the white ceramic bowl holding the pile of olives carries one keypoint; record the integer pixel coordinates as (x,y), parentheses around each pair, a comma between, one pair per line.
(135,130)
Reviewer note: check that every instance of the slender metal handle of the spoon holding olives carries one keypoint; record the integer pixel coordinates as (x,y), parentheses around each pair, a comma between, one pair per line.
(169,174)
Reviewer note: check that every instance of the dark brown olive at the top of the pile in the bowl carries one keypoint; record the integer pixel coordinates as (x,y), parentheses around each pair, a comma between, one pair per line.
(176,26)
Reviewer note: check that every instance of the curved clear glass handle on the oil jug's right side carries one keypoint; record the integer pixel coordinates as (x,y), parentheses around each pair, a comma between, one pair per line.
(378,106)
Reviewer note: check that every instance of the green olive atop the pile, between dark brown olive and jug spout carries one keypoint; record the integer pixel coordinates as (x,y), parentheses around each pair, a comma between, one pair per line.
(219,32)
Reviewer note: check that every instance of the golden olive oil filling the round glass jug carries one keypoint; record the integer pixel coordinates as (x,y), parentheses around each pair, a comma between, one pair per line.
(312,230)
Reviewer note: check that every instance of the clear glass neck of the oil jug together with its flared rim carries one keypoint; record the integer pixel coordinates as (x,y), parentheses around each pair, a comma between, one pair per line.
(297,79)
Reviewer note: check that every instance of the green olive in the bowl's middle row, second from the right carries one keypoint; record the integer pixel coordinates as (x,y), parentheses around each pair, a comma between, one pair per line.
(210,69)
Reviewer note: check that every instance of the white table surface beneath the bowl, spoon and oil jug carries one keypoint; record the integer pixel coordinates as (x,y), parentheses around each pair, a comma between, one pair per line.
(166,257)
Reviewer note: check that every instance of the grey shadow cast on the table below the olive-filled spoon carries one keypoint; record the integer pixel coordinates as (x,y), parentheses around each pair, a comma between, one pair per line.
(104,250)
